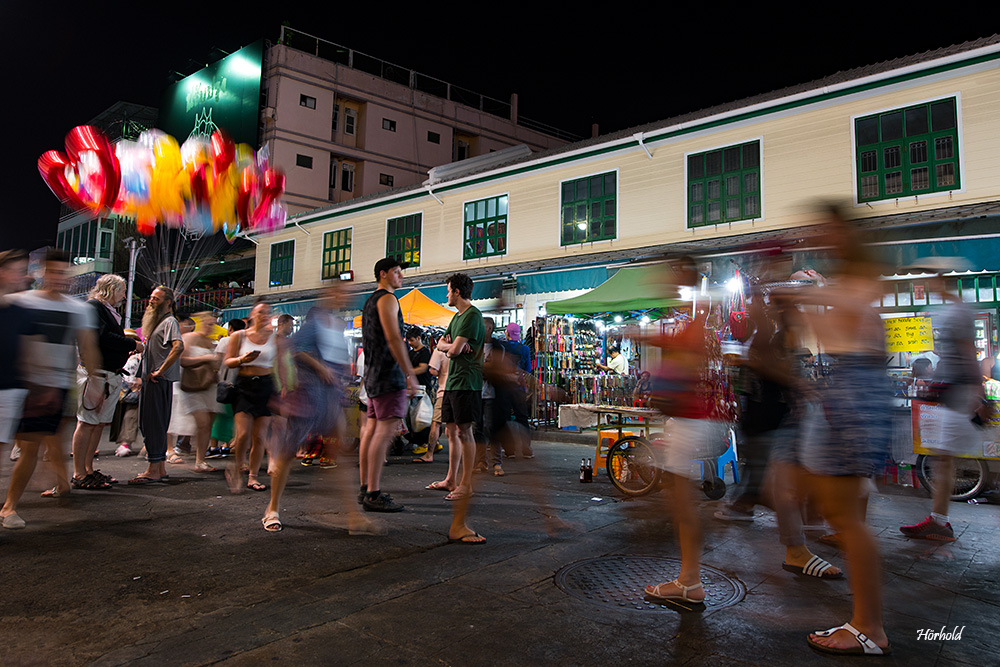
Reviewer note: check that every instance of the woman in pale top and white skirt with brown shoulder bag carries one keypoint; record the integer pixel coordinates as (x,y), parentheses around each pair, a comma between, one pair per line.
(199,353)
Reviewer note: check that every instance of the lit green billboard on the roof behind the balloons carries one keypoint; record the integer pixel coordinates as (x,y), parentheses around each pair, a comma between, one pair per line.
(224,95)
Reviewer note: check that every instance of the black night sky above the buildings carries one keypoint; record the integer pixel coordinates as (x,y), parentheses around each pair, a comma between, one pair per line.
(571,67)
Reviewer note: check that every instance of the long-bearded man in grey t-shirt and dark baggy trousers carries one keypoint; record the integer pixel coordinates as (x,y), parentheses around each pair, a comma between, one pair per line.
(159,372)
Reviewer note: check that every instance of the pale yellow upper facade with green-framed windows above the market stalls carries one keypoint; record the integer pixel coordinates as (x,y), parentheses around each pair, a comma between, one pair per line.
(754,166)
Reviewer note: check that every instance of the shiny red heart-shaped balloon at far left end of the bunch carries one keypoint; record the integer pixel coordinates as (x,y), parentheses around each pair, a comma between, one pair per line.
(53,165)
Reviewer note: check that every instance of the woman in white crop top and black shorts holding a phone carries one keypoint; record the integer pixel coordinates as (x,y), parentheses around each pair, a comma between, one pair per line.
(254,352)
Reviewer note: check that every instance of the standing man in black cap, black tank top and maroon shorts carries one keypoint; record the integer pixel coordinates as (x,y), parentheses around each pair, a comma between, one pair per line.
(389,379)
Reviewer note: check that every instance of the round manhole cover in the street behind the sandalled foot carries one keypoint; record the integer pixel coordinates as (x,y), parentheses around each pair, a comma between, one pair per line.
(619,581)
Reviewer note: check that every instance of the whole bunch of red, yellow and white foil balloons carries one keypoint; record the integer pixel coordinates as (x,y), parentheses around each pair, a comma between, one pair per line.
(205,185)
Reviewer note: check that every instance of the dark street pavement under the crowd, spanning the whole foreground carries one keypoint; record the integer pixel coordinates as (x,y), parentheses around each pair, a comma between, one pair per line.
(184,574)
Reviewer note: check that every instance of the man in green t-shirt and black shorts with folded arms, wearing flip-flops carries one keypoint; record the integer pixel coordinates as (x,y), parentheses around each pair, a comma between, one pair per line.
(462,403)
